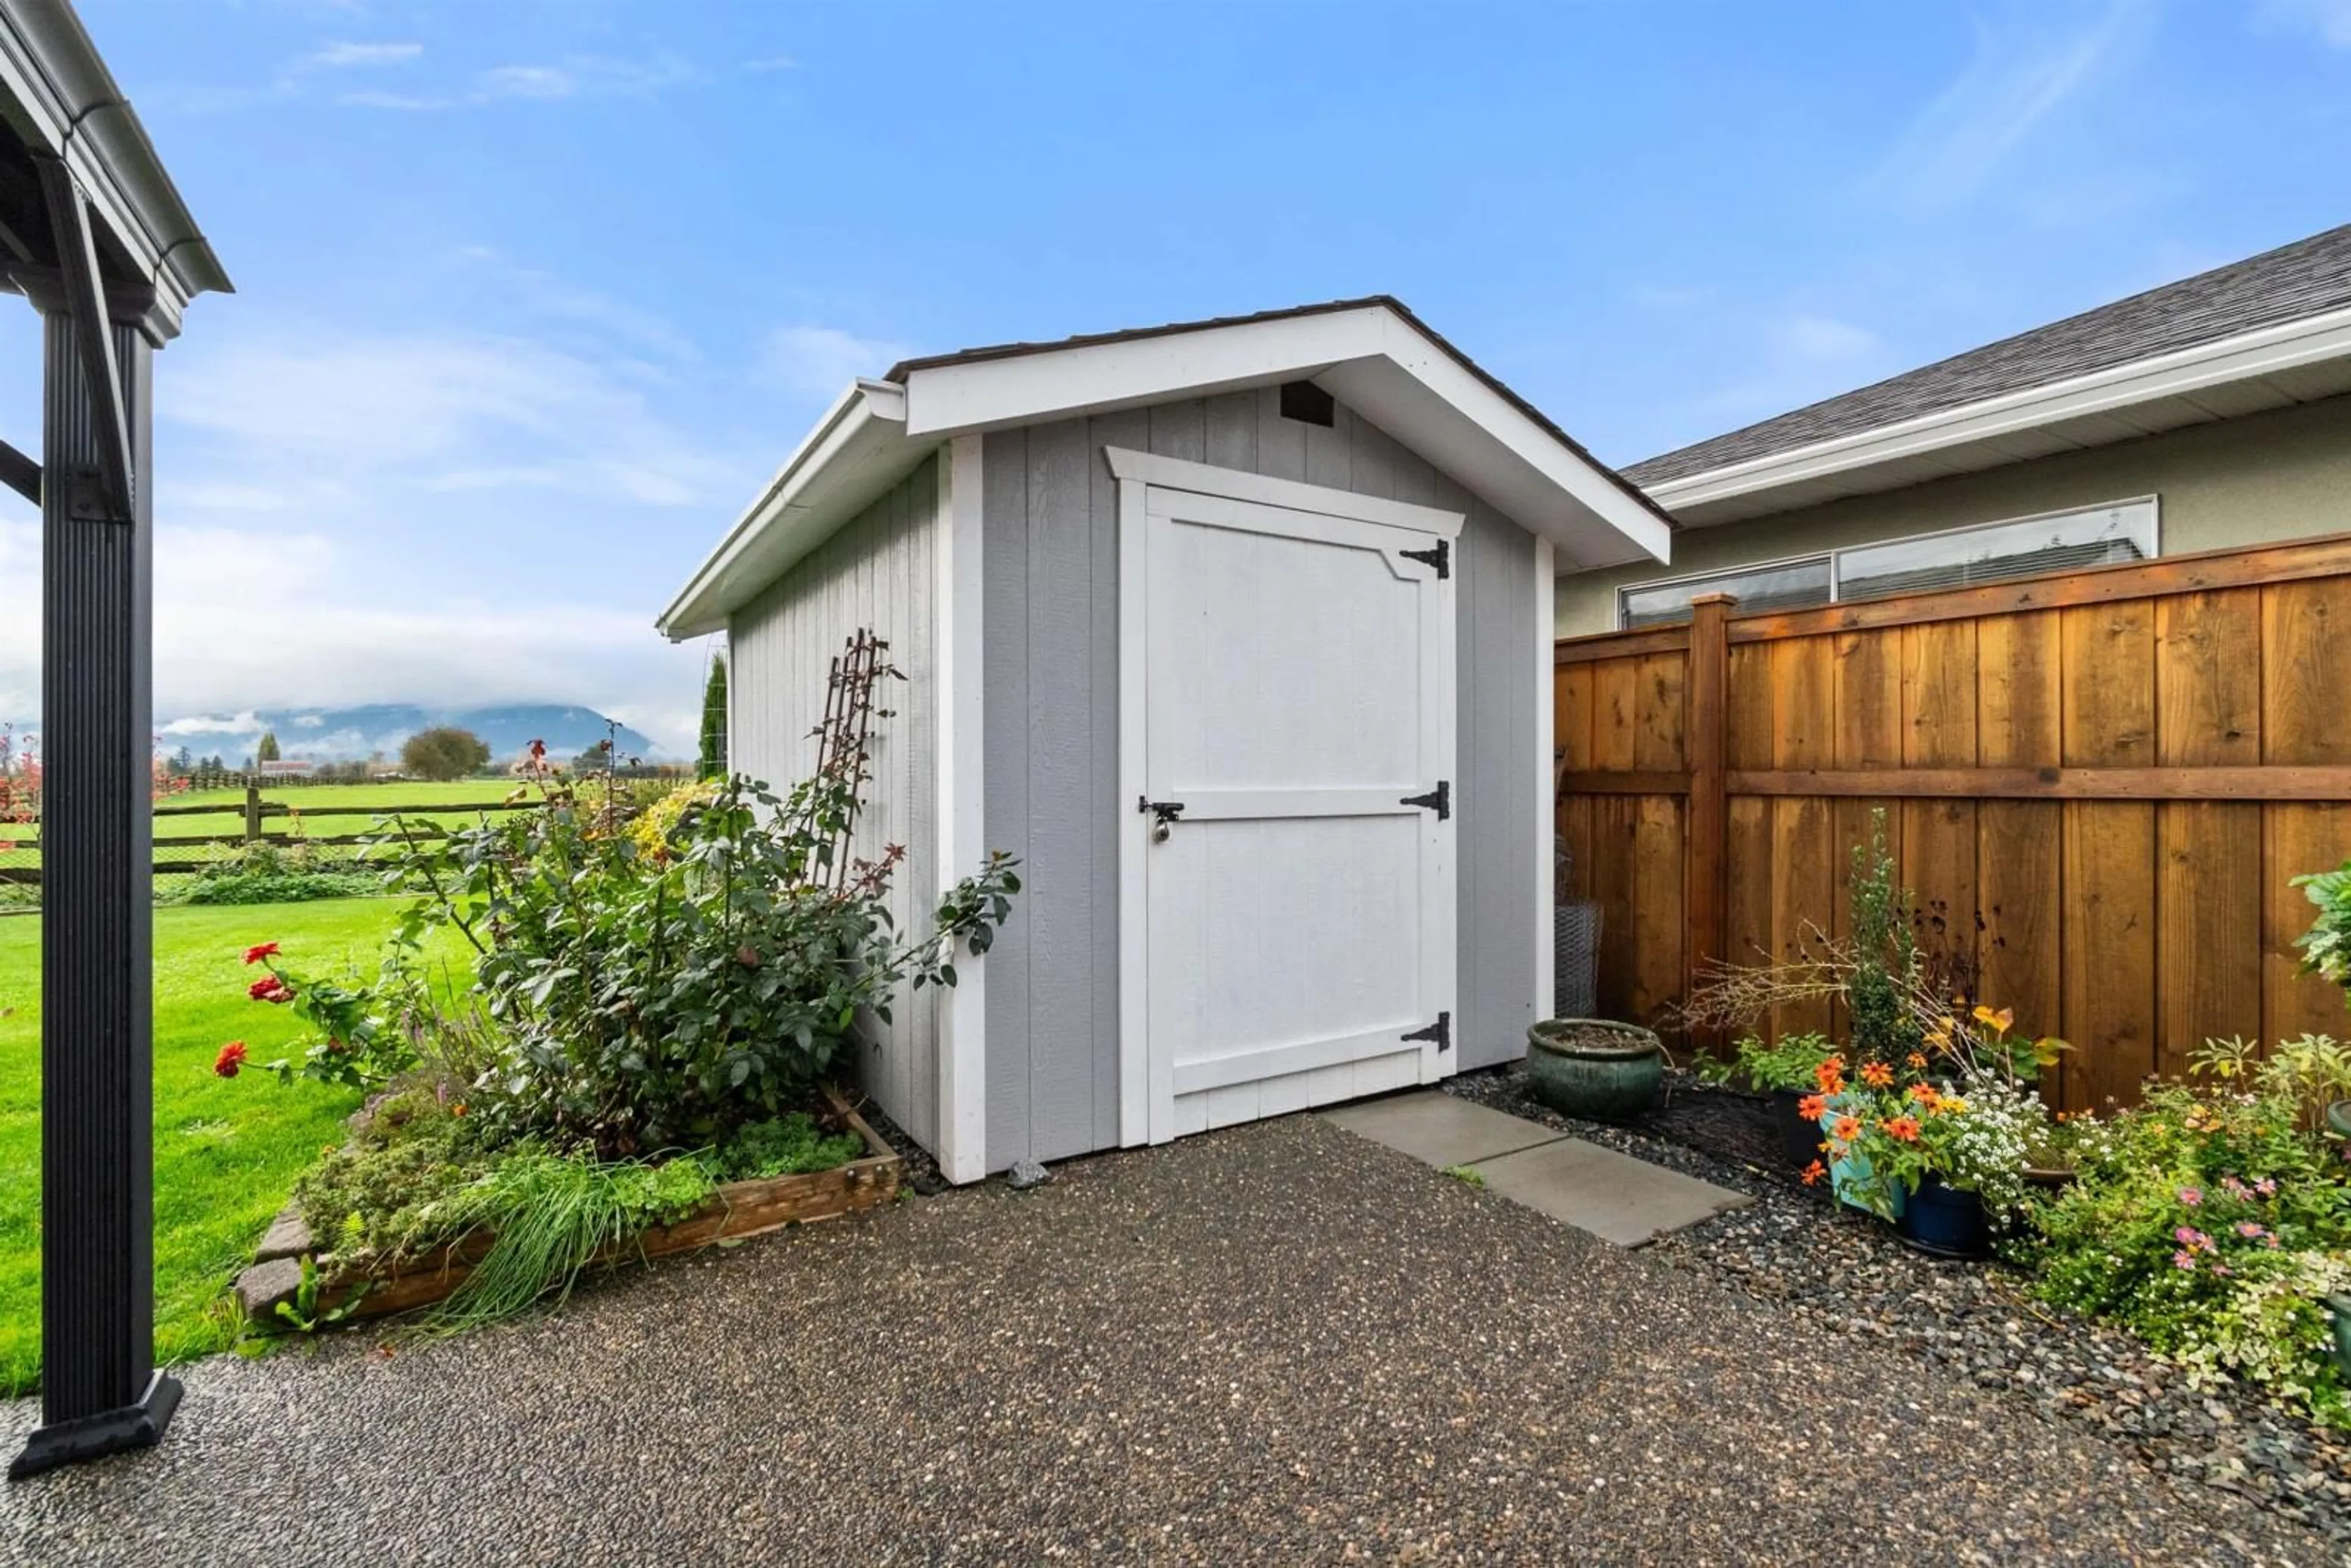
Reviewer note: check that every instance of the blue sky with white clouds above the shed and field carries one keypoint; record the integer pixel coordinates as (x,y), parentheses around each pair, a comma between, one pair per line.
(535,295)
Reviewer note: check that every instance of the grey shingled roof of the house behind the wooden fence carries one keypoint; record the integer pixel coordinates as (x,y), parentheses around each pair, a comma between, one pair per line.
(2284,286)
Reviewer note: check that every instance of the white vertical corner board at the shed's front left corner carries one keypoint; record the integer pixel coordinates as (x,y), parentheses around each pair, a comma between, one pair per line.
(963,805)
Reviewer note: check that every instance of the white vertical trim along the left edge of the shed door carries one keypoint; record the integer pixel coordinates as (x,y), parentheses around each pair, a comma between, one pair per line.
(1137,1097)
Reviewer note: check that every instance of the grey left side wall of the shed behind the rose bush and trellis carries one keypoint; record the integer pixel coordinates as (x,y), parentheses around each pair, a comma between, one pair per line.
(878,572)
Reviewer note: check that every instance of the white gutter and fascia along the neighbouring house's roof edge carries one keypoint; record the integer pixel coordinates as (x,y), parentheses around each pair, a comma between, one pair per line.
(2237,359)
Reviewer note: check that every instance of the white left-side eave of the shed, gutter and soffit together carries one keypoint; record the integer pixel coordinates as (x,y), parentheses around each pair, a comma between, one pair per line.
(857,448)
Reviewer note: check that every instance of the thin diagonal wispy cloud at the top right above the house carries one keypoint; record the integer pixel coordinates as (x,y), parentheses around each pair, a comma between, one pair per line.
(2018,79)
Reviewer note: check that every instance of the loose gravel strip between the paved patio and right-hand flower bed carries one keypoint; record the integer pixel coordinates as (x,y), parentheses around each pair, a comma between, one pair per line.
(1849,1278)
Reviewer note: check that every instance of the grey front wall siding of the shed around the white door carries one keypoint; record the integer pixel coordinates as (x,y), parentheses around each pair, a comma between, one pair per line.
(1052,742)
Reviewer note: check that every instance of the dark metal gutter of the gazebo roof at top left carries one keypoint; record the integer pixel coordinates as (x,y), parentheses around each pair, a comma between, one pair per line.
(62,100)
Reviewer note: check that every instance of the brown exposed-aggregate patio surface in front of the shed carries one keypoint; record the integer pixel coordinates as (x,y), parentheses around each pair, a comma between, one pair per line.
(1278,1343)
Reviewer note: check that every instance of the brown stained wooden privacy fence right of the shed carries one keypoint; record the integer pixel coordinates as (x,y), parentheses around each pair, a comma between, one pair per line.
(2115,770)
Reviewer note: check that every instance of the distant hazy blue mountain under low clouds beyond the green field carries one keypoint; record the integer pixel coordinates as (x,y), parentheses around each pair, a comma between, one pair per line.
(344,735)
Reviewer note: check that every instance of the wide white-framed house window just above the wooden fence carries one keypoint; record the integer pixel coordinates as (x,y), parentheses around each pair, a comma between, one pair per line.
(1957,558)
